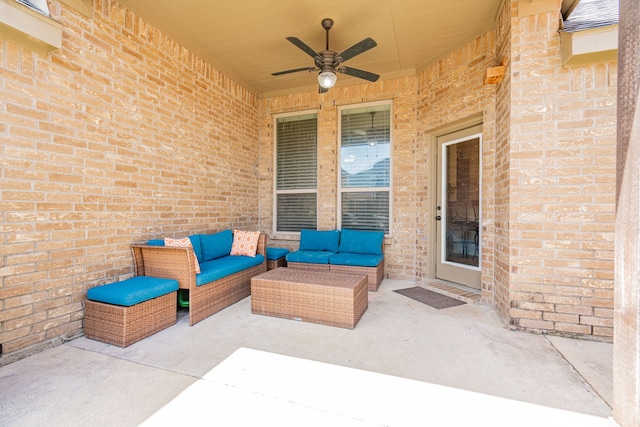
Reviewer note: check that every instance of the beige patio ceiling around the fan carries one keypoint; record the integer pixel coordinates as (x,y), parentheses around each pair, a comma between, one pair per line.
(245,39)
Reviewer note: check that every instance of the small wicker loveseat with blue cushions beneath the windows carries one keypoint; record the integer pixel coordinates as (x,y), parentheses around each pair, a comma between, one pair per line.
(346,251)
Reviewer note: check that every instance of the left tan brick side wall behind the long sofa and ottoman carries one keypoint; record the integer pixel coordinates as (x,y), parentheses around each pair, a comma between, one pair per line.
(120,136)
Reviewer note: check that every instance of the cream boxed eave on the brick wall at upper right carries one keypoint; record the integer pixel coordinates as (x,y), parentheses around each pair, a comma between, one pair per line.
(589,46)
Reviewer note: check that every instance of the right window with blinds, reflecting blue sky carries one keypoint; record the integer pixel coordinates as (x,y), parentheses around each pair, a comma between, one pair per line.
(365,172)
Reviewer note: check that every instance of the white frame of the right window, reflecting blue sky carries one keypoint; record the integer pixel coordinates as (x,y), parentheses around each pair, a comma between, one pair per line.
(342,190)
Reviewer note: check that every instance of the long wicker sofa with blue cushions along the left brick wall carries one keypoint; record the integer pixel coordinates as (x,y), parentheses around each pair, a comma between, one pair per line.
(223,280)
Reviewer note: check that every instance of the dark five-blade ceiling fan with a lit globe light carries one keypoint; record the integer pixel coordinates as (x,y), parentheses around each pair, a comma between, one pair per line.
(329,62)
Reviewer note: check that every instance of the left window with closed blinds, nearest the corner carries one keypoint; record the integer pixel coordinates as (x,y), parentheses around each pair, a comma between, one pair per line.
(296,183)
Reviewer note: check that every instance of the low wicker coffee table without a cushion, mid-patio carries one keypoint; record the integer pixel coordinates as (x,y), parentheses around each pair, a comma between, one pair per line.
(334,299)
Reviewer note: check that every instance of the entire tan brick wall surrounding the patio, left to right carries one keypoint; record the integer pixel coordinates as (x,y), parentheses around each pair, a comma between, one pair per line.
(123,135)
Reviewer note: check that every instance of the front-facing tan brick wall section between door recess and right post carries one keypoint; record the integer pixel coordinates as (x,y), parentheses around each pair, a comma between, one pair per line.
(561,185)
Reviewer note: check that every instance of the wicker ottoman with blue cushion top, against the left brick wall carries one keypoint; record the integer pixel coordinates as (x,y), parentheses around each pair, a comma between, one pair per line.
(125,312)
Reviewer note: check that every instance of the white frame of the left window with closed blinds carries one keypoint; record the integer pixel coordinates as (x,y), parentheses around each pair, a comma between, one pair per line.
(276,192)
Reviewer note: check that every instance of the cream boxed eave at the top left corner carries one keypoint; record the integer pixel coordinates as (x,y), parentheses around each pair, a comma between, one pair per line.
(28,27)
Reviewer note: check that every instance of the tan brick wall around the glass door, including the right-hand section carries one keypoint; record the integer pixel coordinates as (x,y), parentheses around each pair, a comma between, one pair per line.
(548,174)
